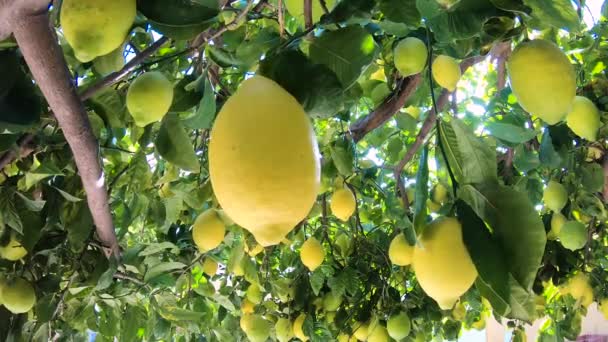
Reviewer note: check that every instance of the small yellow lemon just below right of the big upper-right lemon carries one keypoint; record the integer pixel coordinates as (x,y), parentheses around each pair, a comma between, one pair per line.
(584,118)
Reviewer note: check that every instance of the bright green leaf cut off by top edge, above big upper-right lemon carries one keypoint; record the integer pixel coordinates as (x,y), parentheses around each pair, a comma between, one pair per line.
(560,14)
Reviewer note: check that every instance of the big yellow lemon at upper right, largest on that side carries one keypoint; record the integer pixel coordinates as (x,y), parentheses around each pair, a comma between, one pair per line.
(542,79)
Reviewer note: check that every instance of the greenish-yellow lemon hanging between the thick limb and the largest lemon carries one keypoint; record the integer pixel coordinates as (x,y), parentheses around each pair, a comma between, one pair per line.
(149,98)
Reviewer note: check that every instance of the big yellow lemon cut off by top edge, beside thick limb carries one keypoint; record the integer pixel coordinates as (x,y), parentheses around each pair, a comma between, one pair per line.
(96,27)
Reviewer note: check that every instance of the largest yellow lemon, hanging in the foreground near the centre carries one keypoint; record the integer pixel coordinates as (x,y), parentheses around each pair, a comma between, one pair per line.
(264,160)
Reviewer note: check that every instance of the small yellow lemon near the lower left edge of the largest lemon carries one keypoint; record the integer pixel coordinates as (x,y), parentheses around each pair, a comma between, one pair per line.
(208,230)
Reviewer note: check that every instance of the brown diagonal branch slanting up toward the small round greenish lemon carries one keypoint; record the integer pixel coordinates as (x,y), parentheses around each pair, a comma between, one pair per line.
(386,109)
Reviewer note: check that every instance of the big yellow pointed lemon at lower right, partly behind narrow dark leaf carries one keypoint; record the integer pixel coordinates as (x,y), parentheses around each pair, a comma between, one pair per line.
(442,263)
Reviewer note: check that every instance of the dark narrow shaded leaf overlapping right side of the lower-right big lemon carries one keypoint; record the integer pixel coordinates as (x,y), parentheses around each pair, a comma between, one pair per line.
(488,257)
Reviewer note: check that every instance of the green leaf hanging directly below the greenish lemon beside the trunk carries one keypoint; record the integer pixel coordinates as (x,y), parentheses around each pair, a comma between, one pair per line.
(174,145)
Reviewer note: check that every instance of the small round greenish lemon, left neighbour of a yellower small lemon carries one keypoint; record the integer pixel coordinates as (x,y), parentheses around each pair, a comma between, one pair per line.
(410,56)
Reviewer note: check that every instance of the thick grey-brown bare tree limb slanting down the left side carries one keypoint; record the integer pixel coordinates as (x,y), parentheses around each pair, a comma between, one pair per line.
(45,60)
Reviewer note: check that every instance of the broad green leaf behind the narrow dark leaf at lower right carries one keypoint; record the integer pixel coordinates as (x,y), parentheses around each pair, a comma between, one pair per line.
(515,224)
